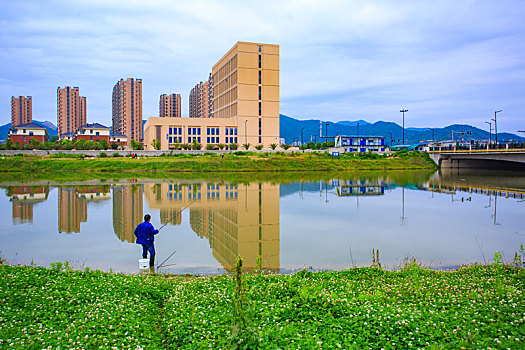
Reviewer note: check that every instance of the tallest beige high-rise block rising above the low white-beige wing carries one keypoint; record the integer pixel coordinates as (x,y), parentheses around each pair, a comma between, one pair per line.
(246,86)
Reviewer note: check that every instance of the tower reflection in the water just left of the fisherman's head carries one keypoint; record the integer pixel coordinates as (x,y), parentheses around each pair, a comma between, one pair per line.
(127,210)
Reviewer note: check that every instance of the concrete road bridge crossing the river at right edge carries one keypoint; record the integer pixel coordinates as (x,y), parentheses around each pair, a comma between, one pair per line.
(490,159)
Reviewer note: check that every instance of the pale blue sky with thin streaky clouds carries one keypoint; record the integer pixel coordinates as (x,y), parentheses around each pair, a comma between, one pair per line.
(447,62)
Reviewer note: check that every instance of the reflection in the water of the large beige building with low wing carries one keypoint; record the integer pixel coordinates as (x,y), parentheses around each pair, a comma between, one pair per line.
(236,219)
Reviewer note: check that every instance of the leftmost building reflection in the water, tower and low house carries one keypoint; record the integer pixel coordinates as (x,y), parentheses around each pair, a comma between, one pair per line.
(23,198)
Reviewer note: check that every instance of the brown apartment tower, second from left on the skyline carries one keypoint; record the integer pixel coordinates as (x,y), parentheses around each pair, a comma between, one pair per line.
(71,110)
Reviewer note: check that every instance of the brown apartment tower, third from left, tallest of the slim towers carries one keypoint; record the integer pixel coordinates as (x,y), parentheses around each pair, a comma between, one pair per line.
(127,108)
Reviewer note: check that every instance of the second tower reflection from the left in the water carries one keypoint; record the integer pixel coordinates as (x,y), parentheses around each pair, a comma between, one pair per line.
(72,210)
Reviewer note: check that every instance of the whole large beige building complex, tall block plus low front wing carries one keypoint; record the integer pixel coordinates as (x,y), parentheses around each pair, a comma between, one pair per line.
(244,103)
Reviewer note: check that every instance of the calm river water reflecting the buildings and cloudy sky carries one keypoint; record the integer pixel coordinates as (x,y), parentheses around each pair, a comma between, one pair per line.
(444,219)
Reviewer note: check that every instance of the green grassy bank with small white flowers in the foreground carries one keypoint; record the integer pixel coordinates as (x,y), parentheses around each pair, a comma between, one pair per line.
(474,307)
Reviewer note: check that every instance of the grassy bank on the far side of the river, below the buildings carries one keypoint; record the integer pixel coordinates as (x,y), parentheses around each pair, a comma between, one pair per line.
(238,162)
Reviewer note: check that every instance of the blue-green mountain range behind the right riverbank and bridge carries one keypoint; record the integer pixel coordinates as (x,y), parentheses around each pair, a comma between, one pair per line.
(290,130)
